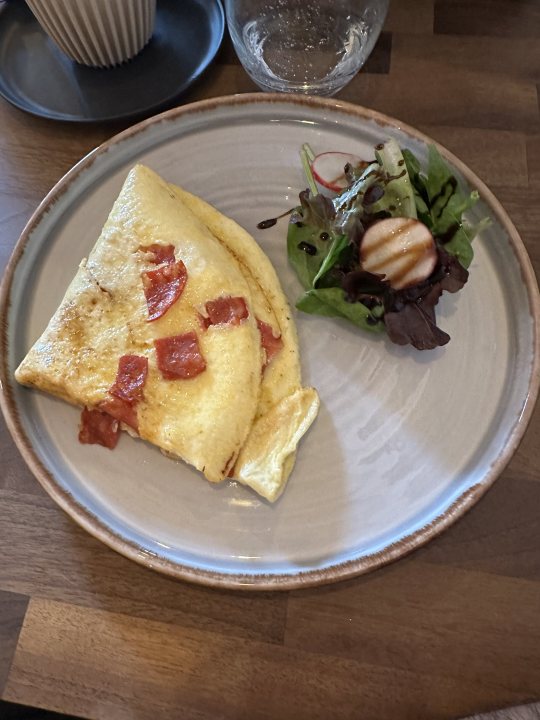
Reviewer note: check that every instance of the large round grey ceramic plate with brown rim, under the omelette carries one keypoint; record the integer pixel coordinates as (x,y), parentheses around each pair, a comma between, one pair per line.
(405,441)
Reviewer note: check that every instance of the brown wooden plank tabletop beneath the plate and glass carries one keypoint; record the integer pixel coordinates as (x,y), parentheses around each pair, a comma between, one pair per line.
(453,629)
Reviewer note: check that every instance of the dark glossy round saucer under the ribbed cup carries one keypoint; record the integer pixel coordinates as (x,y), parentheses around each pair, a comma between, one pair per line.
(37,77)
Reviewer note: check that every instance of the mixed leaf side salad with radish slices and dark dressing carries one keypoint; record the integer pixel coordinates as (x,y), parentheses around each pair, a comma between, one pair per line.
(383,249)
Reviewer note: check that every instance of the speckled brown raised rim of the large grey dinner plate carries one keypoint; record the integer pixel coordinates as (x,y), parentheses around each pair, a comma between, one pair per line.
(268,581)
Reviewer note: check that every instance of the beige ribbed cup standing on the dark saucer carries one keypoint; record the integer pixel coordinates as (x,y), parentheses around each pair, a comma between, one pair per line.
(99,33)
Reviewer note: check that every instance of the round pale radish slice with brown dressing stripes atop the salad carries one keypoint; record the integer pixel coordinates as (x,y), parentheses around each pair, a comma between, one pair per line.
(401,249)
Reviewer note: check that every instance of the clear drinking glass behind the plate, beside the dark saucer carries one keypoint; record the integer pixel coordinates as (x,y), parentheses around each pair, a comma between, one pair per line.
(306,46)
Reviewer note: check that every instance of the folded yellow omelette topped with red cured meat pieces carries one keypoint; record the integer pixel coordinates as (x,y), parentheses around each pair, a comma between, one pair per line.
(175,329)
